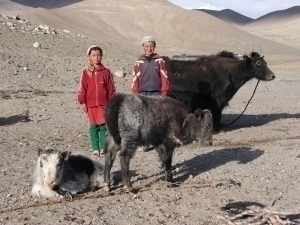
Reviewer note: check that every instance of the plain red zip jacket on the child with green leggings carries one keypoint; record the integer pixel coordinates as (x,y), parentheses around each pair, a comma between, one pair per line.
(96,87)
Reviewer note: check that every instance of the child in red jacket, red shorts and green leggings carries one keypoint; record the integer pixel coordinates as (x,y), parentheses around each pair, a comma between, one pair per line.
(96,87)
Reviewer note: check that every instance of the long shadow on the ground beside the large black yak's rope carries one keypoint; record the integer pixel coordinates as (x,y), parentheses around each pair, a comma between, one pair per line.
(253,120)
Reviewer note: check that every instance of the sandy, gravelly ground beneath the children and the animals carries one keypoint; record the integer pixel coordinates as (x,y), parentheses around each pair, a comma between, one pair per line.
(254,163)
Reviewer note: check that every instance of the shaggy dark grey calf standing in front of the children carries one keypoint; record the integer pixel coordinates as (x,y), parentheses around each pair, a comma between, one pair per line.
(163,122)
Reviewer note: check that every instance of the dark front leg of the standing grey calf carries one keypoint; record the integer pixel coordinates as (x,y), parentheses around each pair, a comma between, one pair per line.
(165,152)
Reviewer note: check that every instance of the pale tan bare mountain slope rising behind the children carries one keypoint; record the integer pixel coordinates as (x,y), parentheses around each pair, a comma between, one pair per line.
(178,31)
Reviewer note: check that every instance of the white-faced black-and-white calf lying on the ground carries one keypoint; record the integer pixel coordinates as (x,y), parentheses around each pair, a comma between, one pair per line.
(60,174)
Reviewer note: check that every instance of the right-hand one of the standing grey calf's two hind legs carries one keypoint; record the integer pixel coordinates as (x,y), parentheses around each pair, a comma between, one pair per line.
(127,151)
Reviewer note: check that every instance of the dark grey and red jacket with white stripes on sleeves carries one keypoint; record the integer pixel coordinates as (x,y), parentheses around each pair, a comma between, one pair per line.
(155,76)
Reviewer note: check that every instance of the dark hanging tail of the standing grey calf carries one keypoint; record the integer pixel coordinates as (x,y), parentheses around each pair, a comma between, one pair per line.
(112,115)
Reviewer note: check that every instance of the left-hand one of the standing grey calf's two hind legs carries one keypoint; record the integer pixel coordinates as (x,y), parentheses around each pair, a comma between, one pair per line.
(110,156)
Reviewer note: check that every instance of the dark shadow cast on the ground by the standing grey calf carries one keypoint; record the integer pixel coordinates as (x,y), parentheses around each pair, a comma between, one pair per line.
(211,160)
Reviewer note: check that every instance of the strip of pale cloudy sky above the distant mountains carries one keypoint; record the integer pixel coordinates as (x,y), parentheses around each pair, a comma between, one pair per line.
(249,8)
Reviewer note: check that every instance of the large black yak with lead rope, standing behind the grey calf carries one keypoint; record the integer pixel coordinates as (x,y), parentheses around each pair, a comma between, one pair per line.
(211,81)
